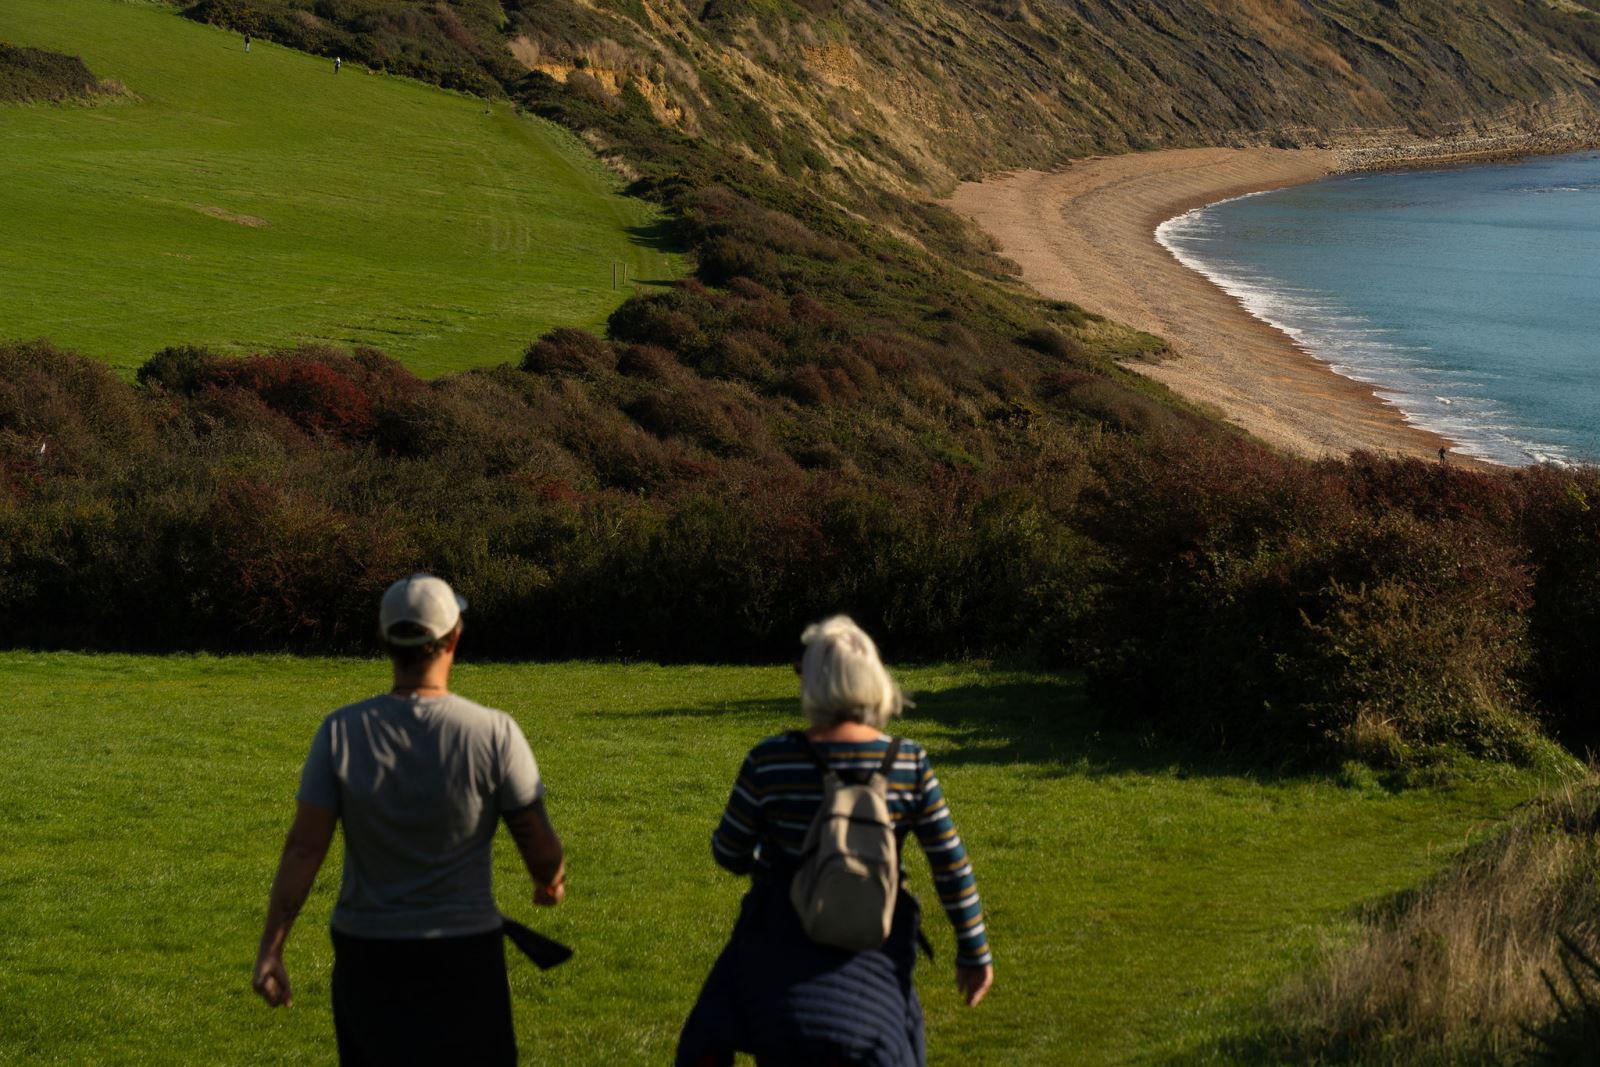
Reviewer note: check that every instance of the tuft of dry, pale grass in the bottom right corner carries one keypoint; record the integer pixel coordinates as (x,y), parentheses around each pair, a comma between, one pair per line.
(1454,973)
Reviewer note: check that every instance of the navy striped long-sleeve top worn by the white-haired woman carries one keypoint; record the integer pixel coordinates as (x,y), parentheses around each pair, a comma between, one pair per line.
(778,793)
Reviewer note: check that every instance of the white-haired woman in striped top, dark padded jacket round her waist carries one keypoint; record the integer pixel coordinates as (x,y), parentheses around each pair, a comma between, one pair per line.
(777,993)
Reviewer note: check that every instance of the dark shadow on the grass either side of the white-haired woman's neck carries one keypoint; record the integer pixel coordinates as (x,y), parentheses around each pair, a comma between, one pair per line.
(1046,722)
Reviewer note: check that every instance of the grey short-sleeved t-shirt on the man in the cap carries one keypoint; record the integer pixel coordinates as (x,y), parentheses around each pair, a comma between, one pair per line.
(420,785)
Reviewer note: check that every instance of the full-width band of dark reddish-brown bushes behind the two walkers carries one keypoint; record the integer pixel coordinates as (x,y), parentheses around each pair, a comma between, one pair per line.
(1375,609)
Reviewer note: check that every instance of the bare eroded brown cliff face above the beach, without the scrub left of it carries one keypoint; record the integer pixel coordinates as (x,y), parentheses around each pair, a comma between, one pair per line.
(961,87)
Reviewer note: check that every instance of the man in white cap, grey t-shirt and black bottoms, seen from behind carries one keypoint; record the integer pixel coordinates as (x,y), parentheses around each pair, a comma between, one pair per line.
(422,780)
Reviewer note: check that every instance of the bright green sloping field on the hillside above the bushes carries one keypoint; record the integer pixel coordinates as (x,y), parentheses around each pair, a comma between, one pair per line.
(252,201)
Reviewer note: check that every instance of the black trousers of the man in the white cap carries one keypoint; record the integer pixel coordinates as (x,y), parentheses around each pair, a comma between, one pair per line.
(423,1004)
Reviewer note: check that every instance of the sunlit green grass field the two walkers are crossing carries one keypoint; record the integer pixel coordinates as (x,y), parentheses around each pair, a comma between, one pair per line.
(1142,906)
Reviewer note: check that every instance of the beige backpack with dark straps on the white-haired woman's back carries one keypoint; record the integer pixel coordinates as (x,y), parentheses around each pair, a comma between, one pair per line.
(849,874)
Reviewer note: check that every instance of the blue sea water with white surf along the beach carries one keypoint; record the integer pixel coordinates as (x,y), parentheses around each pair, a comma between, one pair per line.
(1468,297)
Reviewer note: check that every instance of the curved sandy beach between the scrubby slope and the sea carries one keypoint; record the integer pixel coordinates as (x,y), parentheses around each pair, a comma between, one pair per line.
(1087,234)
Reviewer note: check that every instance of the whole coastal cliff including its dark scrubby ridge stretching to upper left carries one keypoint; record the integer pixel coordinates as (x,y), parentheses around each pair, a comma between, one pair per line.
(921,94)
